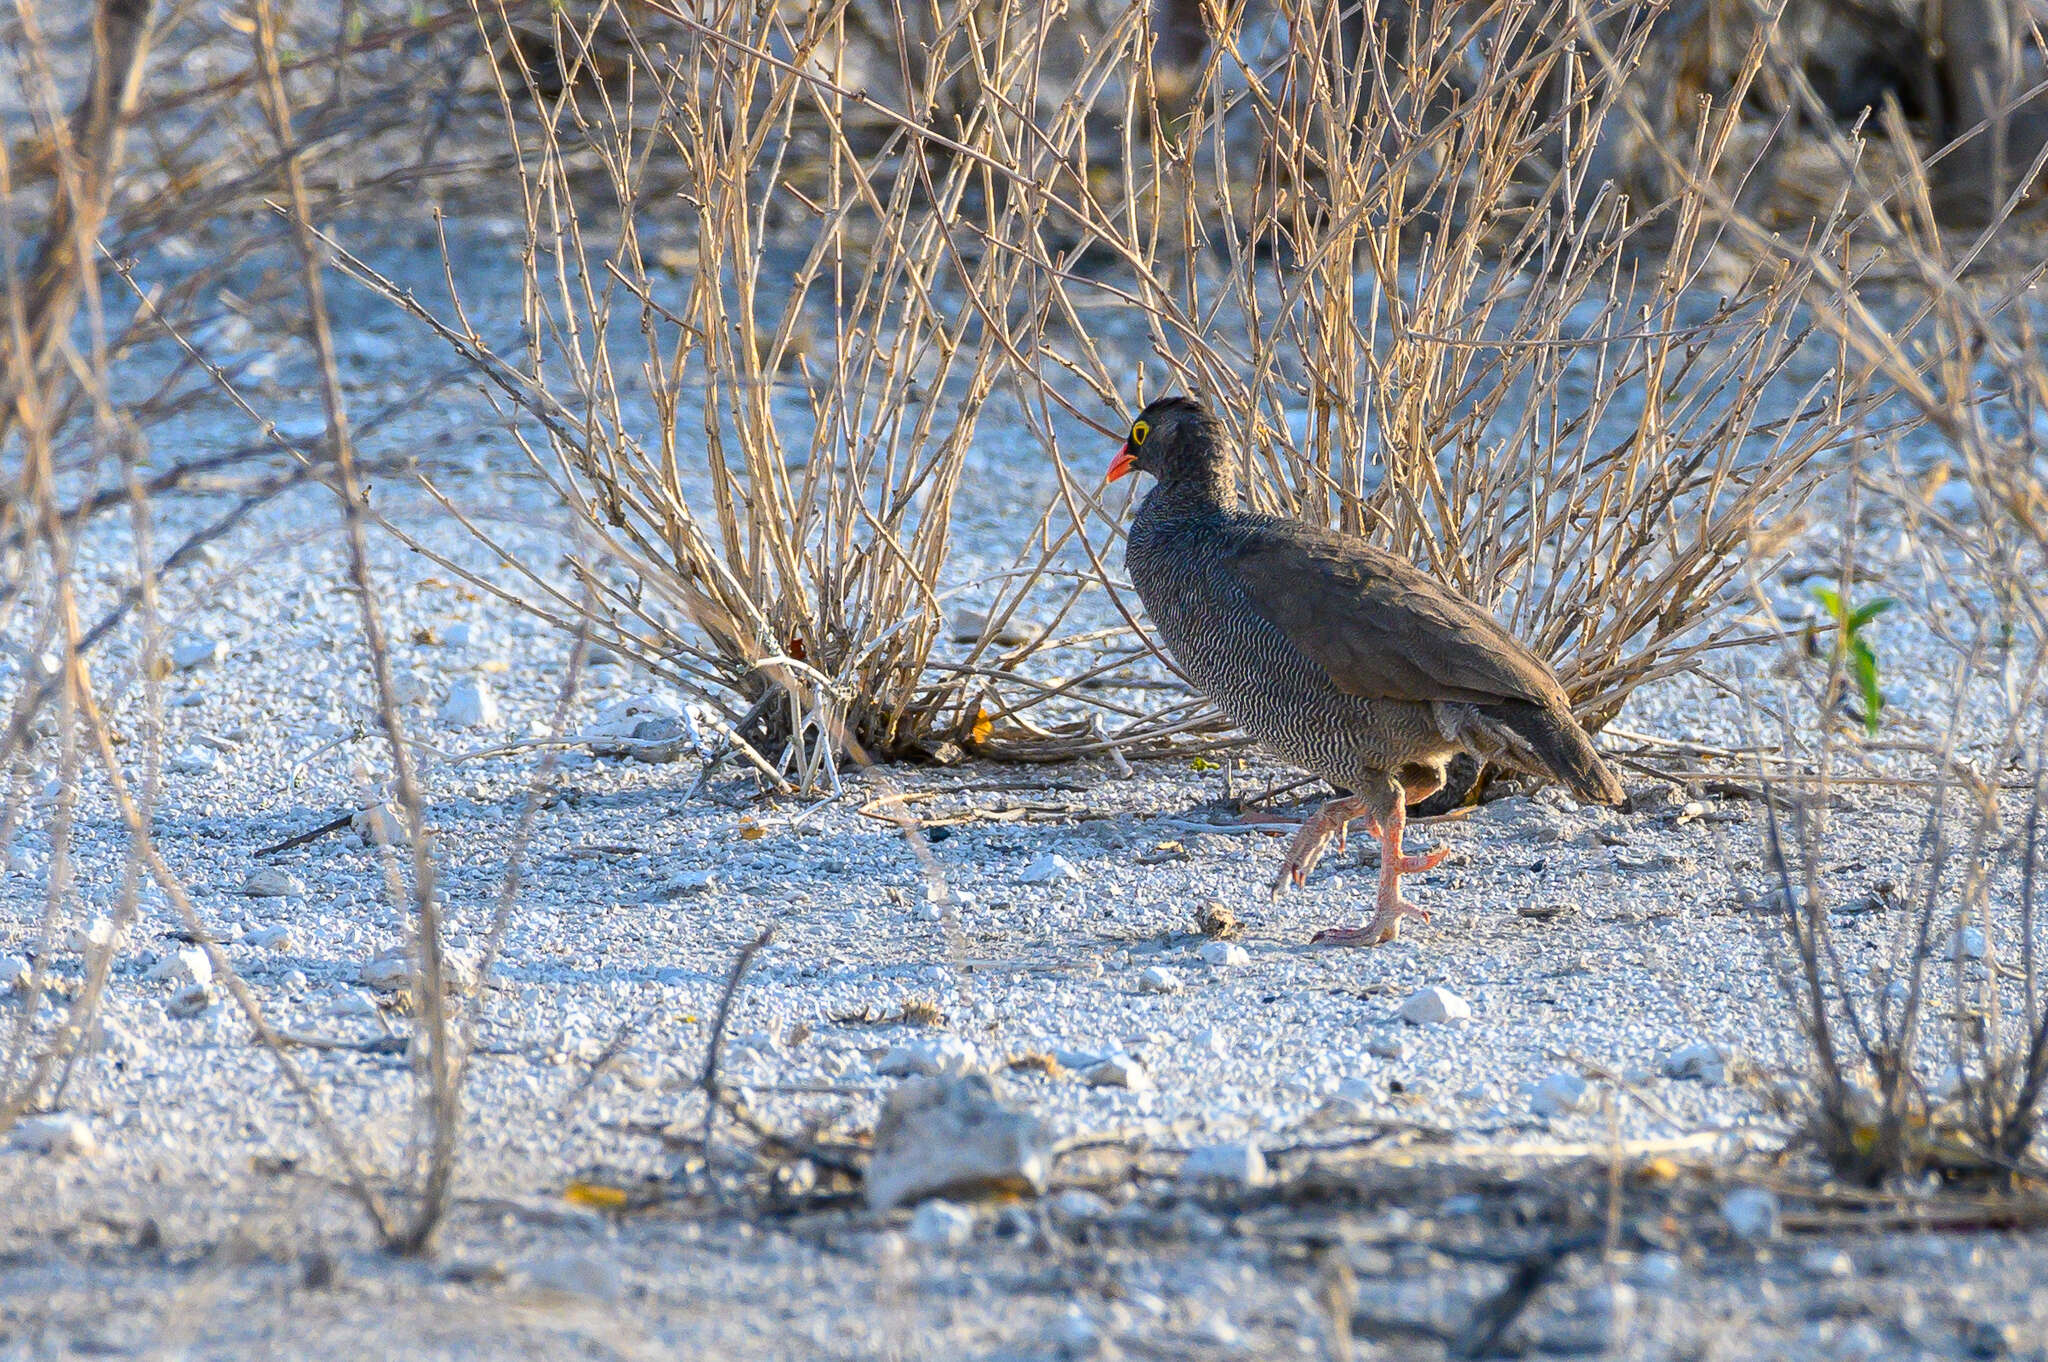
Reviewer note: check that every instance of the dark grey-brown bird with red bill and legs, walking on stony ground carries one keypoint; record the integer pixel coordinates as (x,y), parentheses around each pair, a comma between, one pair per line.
(1338,656)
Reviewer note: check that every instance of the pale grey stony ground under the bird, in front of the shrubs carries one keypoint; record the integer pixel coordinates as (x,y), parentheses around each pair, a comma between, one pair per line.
(210,1224)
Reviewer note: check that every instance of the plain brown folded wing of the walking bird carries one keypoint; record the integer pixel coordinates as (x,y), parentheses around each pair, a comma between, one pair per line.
(1379,626)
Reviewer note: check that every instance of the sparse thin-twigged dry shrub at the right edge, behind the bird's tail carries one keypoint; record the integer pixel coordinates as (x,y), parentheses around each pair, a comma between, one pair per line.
(1930,1052)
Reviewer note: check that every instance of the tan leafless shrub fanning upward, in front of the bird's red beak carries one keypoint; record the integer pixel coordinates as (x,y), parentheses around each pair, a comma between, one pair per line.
(818,347)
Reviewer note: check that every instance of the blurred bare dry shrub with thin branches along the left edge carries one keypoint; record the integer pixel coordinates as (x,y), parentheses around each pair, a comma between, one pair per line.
(155,146)
